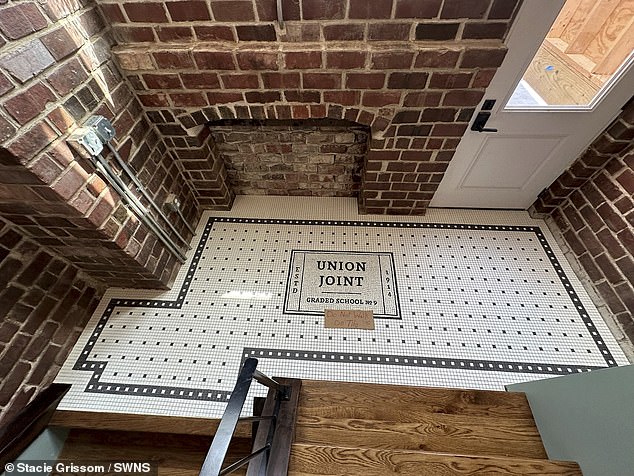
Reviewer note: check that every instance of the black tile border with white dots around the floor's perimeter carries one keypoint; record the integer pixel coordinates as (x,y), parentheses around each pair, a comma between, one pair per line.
(183,393)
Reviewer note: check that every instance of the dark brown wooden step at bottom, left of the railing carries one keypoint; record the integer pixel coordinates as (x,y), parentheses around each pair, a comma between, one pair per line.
(176,454)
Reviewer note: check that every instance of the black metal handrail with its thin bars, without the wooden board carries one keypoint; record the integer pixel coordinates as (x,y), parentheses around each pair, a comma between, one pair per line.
(220,444)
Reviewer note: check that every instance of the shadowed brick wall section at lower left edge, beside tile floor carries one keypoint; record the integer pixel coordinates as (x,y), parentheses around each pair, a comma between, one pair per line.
(46,301)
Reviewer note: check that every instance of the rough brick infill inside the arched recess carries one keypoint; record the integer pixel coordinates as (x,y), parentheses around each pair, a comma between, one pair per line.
(322,158)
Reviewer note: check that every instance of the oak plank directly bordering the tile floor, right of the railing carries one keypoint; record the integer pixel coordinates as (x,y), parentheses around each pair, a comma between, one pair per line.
(392,402)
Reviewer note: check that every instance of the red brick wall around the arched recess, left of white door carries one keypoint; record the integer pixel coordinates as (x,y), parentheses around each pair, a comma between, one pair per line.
(411,70)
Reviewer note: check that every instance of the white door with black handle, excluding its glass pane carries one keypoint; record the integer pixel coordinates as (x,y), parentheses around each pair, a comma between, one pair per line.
(532,145)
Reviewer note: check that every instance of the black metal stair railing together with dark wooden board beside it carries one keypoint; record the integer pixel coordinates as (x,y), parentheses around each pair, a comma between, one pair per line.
(275,429)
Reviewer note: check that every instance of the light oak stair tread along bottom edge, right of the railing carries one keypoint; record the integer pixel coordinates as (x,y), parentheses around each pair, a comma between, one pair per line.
(329,460)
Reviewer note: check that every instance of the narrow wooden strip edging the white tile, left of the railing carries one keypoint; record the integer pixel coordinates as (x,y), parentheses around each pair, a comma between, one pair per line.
(149,423)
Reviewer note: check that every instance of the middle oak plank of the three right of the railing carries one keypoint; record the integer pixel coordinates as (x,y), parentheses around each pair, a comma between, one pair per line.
(437,433)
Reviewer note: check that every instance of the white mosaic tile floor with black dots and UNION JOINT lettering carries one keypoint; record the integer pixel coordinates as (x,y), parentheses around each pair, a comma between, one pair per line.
(471,299)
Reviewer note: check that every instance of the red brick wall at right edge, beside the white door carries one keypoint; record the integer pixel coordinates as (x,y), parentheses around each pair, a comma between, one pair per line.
(592,205)
